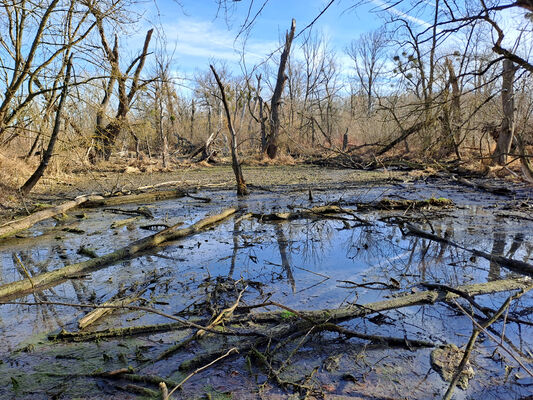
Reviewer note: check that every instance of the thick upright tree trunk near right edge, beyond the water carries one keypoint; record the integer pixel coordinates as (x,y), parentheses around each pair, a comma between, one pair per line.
(505,138)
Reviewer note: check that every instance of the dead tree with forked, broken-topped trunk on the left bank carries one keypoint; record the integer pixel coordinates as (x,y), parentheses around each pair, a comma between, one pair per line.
(105,136)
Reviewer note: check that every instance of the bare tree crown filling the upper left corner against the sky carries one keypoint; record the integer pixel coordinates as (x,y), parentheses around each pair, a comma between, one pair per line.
(33,35)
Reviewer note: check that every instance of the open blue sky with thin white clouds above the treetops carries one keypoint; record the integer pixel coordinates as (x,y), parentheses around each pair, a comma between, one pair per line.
(198,36)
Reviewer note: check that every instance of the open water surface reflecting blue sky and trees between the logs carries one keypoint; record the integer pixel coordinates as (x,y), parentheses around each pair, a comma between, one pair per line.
(297,263)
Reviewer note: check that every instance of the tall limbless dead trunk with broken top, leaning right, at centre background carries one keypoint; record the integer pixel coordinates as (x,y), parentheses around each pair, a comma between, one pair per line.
(272,139)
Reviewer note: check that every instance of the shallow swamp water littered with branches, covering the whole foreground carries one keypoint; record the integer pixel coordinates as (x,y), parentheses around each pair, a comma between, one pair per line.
(303,264)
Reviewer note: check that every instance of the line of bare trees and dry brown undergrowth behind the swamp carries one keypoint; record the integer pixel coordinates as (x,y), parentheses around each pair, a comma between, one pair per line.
(455,87)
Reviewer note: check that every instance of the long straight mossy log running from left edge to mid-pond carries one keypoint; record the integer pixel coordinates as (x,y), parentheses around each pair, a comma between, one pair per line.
(18,288)
